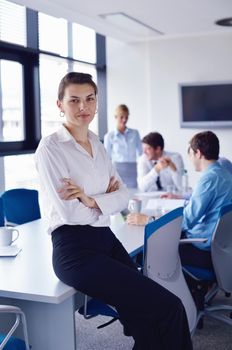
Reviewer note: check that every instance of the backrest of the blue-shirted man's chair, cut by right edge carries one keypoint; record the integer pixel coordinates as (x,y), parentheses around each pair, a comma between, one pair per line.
(221,248)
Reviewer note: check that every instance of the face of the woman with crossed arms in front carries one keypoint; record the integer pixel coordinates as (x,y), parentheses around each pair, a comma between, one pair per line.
(79,104)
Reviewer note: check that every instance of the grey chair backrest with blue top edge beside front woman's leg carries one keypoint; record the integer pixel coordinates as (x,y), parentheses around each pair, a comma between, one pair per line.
(162,262)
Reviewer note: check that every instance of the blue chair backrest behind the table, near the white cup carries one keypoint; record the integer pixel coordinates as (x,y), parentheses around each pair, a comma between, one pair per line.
(21,205)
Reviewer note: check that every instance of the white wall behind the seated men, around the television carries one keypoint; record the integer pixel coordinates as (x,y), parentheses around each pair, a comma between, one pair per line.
(162,64)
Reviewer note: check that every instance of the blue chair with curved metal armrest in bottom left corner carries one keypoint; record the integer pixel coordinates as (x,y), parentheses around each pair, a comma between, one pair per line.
(8,341)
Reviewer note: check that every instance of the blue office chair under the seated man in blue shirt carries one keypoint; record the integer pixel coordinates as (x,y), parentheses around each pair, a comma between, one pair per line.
(205,283)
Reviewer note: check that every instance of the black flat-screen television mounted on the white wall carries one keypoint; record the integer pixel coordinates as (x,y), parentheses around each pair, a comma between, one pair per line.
(206,105)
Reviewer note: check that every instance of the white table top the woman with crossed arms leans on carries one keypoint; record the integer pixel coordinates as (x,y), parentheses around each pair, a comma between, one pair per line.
(30,274)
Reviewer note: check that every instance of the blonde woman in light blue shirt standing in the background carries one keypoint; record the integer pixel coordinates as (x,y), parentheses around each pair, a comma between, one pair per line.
(123,145)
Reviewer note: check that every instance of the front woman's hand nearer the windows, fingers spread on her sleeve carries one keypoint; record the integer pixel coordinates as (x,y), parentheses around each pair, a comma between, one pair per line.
(69,190)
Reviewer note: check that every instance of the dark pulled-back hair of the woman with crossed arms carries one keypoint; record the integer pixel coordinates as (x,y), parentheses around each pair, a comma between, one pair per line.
(75,78)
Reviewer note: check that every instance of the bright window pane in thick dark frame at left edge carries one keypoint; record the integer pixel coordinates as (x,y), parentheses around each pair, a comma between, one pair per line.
(11,92)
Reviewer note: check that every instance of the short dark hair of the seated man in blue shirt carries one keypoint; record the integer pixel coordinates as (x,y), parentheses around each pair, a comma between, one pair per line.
(207,142)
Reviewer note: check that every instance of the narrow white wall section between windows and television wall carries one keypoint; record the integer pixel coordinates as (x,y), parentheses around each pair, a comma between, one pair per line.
(127,82)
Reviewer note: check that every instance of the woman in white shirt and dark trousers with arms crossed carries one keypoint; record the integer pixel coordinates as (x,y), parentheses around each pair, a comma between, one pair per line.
(80,188)
